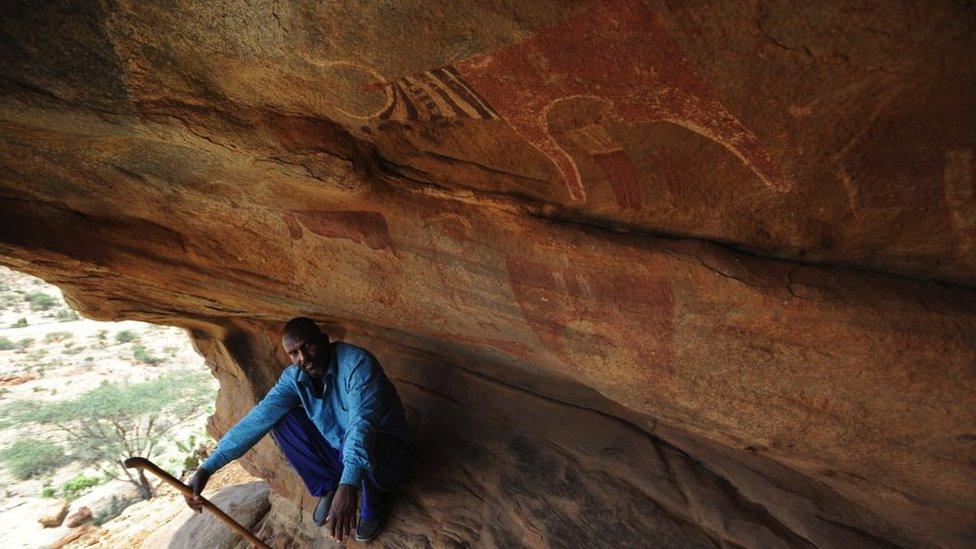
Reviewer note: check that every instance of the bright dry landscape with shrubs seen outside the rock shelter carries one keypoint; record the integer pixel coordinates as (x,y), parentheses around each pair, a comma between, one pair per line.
(76,397)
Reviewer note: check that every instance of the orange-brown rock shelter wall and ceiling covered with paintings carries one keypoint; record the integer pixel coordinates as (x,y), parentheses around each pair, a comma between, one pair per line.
(684,275)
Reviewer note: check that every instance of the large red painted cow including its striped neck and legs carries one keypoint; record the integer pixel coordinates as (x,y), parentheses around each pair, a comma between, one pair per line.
(615,52)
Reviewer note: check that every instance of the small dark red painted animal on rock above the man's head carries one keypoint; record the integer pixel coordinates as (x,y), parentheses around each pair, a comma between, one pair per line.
(367,228)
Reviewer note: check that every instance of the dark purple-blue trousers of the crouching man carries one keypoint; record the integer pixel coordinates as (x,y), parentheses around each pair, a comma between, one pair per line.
(320,465)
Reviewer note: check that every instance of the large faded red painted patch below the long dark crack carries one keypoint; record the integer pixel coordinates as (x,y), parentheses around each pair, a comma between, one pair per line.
(596,319)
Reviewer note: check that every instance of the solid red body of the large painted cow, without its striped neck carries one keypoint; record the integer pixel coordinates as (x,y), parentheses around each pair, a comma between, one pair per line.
(616,51)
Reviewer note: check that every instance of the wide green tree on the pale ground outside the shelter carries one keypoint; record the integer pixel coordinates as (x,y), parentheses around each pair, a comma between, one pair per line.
(115,421)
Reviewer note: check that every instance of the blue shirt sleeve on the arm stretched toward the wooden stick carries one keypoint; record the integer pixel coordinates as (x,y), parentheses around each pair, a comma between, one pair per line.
(255,424)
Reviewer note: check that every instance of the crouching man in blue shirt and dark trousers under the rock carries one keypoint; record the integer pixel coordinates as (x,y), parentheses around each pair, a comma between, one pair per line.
(340,423)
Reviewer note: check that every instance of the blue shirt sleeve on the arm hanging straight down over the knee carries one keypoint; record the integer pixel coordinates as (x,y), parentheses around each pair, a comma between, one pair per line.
(365,406)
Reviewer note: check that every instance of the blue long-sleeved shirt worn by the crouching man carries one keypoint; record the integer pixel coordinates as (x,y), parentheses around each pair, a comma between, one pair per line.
(357,403)
